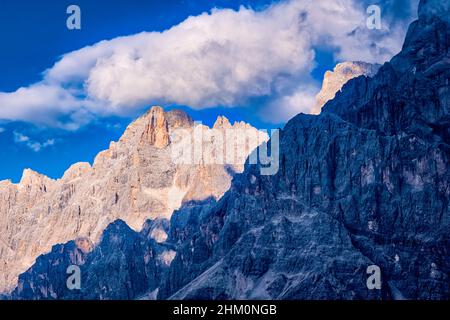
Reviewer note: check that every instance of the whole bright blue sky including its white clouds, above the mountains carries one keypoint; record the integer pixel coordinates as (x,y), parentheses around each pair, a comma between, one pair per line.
(48,137)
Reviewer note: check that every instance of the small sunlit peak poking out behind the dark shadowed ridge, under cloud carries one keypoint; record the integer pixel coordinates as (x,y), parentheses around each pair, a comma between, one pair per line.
(334,80)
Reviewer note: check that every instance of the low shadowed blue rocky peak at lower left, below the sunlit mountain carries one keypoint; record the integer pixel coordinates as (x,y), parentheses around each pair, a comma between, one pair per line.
(124,265)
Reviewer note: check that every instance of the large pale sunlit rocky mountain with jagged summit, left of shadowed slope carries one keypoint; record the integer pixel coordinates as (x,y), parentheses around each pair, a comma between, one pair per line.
(134,180)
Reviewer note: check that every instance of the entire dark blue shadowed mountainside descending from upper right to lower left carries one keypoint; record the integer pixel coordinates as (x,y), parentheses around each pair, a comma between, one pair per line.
(366,182)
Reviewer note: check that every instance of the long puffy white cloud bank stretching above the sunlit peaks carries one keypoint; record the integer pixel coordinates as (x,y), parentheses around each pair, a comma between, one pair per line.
(221,58)
